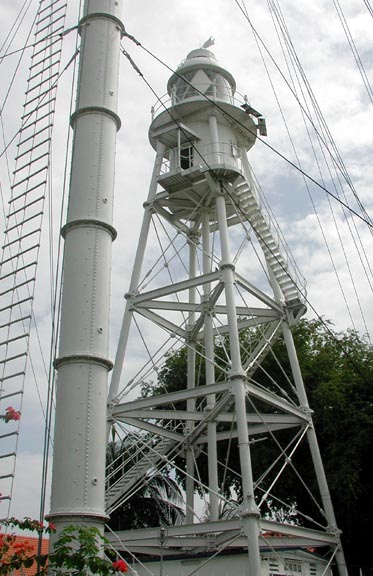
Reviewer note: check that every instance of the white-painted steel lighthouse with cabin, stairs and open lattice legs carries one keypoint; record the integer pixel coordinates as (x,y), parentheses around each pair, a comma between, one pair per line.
(203,188)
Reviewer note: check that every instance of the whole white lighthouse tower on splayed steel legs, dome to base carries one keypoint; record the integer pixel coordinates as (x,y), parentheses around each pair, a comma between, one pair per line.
(214,283)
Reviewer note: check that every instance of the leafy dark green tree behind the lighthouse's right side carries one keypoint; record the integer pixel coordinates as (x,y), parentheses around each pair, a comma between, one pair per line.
(337,369)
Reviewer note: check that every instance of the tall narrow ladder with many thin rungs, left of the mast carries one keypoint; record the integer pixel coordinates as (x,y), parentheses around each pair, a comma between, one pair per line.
(19,255)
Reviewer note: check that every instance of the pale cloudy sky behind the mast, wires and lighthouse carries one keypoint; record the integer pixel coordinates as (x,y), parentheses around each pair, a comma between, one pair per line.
(168,32)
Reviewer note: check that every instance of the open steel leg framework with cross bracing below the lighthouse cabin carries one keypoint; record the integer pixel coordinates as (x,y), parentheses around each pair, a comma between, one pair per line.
(210,255)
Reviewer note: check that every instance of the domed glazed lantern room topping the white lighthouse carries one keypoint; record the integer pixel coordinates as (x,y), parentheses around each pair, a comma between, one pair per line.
(200,75)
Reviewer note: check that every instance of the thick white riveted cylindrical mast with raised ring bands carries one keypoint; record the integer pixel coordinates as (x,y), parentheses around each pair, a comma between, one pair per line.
(78,481)
